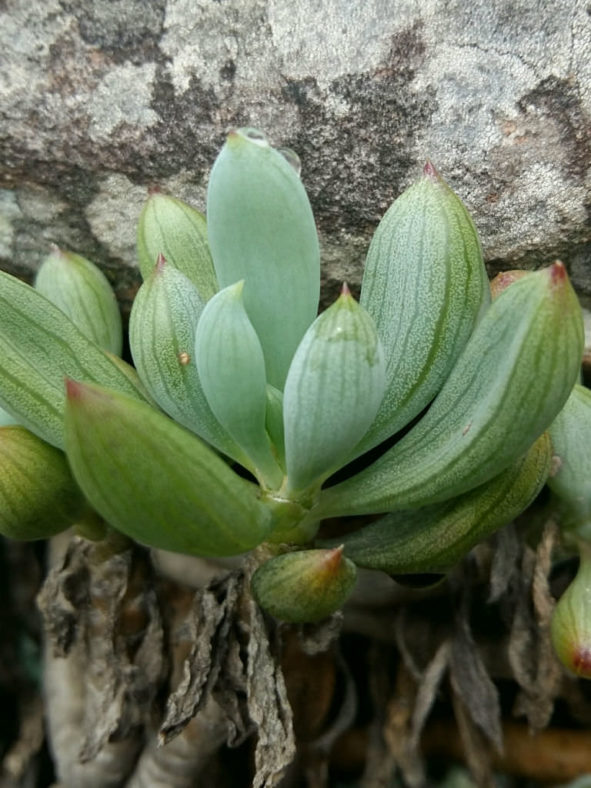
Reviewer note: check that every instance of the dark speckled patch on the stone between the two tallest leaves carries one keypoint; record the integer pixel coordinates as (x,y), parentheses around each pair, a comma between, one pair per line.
(381,103)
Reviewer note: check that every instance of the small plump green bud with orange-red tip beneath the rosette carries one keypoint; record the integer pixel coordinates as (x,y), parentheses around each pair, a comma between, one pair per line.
(305,586)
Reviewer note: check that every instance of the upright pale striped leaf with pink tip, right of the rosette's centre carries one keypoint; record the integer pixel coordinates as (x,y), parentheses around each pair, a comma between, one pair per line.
(332,393)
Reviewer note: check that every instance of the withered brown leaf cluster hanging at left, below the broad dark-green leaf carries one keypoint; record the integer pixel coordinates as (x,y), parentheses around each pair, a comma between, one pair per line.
(101,609)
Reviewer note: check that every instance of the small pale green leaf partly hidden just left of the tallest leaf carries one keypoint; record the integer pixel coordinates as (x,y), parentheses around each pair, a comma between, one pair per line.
(171,228)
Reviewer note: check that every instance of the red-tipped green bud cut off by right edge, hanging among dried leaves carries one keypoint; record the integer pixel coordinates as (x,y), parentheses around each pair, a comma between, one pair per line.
(571,621)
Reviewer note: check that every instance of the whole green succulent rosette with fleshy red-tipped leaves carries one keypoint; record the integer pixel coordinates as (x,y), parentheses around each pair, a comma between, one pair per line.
(242,404)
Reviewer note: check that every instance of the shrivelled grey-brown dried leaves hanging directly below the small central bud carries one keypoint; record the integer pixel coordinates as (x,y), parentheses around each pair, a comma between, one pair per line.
(234,663)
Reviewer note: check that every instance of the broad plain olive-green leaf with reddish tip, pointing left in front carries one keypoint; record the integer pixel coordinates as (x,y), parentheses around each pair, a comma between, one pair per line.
(155,481)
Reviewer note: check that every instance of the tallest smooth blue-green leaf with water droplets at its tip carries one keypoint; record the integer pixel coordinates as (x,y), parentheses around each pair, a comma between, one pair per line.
(261,230)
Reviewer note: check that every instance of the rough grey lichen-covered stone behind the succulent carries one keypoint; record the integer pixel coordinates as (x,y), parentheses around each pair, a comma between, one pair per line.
(101,98)
